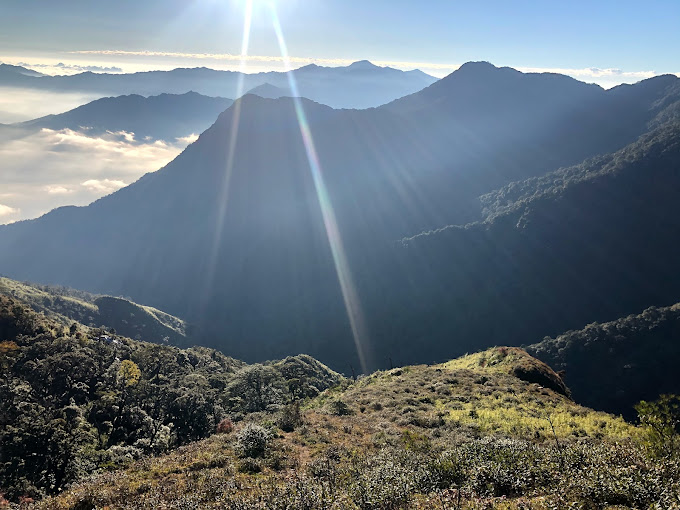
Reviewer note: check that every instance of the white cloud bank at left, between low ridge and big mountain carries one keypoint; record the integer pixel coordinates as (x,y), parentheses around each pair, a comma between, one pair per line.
(52,168)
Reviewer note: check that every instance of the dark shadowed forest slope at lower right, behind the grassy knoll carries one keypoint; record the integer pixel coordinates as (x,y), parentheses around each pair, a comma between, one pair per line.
(613,365)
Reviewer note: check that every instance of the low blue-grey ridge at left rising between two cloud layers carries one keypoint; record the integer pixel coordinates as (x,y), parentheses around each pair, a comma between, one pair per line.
(162,117)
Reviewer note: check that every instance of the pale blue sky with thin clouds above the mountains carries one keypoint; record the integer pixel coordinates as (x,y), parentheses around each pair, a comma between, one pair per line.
(633,37)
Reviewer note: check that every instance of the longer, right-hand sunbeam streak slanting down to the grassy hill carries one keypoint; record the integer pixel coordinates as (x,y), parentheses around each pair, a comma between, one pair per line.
(349,293)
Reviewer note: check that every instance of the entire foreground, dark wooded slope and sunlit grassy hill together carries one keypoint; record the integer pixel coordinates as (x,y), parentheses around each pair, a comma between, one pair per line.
(94,420)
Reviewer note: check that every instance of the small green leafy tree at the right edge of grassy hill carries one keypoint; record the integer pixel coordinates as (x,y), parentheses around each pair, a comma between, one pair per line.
(661,421)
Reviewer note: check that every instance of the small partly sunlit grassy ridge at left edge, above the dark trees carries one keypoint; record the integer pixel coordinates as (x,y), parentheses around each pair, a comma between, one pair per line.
(67,305)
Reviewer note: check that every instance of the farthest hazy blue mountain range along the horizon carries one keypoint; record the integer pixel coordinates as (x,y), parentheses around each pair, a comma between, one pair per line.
(359,85)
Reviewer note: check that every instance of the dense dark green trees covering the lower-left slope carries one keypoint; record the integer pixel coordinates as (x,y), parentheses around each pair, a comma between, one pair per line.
(78,400)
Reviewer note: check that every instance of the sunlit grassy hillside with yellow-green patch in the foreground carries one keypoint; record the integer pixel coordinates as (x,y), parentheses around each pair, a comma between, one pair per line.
(457,435)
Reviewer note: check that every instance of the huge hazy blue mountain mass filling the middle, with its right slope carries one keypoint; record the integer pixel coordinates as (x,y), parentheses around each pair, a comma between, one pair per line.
(238,243)
